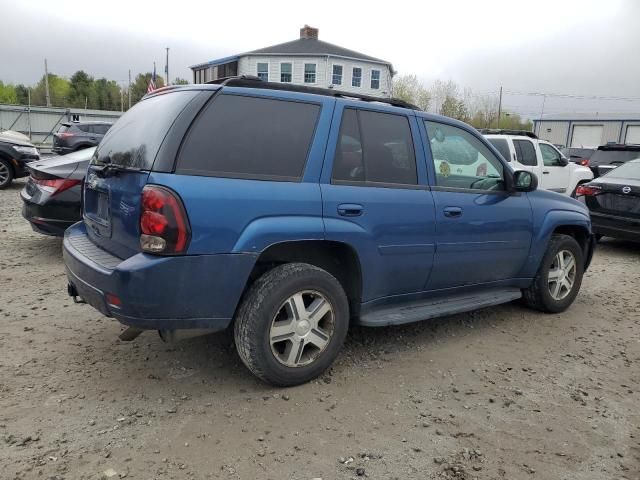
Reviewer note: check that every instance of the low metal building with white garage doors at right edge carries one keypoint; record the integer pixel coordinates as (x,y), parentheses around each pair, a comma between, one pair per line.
(588,130)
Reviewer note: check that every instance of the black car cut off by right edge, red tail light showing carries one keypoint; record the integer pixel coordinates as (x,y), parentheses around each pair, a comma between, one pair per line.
(614,202)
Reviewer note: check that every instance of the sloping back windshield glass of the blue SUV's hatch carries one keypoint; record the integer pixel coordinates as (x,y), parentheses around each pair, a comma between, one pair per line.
(134,140)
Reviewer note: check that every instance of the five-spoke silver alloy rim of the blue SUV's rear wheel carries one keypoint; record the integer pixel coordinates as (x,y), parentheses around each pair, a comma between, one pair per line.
(302,328)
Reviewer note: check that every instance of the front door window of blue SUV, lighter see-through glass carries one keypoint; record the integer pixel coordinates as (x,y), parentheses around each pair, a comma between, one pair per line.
(461,160)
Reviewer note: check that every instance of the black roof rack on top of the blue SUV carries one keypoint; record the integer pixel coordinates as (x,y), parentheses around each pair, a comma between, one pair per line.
(251,81)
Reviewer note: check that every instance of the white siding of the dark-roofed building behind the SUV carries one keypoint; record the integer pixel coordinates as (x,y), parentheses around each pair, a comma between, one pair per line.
(247,65)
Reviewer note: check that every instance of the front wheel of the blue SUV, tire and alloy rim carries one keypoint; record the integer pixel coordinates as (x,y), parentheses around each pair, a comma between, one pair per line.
(559,276)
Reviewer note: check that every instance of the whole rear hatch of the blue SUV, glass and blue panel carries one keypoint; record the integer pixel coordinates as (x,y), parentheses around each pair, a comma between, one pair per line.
(120,167)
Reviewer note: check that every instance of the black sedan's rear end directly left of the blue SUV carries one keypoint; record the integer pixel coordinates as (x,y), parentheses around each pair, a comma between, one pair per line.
(52,196)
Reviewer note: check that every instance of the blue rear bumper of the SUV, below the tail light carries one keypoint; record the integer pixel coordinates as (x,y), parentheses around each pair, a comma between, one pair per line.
(196,291)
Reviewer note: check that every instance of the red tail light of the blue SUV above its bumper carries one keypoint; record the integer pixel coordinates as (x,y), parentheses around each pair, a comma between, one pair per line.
(164,225)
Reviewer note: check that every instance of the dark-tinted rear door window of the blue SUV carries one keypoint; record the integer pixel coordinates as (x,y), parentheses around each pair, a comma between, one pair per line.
(376,148)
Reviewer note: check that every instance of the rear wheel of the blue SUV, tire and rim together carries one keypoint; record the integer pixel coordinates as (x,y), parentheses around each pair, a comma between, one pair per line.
(291,324)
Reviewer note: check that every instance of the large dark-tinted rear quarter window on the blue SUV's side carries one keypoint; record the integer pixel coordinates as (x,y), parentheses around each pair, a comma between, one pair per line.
(250,137)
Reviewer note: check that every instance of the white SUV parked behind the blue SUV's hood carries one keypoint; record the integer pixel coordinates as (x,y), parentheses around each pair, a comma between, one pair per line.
(526,152)
